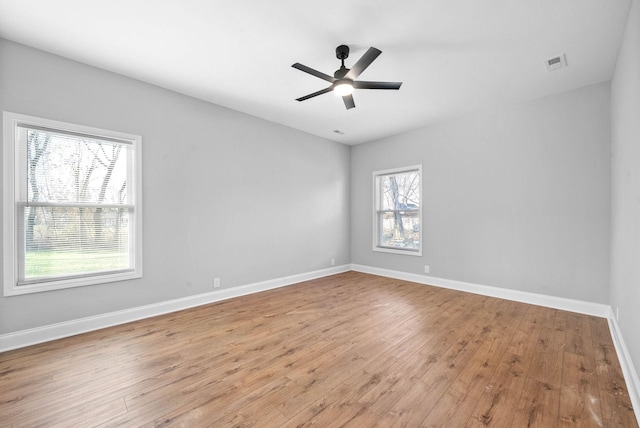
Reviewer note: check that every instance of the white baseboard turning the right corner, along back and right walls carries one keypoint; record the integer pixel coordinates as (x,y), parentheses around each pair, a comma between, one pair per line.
(587,308)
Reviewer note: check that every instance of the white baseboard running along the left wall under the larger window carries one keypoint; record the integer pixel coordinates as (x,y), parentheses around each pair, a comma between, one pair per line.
(33,336)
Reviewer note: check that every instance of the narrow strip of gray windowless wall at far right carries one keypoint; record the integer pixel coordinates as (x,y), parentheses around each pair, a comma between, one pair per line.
(625,186)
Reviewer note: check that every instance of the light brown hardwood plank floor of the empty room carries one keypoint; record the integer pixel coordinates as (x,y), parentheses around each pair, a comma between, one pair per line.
(346,350)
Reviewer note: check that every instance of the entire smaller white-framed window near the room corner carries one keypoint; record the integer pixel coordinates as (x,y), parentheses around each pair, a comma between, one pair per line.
(397,211)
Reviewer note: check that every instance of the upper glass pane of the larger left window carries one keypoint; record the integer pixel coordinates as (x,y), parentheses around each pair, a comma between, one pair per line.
(67,168)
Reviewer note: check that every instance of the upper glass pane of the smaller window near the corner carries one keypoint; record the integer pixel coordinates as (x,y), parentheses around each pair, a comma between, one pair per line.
(400,191)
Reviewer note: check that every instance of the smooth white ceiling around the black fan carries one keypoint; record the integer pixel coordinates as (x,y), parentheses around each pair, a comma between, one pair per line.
(453,56)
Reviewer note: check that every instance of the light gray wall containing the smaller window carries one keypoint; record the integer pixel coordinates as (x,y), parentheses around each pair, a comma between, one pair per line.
(516,197)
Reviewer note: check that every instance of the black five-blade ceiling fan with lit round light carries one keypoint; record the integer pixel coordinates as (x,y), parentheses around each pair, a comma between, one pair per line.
(344,80)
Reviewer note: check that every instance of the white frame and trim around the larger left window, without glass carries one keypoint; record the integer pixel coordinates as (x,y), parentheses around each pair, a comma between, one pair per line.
(10,227)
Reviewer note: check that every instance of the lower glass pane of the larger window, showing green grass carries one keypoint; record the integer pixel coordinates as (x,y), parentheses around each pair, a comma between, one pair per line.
(67,241)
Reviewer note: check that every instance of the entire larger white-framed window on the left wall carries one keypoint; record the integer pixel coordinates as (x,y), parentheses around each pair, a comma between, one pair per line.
(72,205)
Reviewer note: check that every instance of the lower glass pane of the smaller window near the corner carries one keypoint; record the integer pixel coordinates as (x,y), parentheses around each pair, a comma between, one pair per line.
(400,229)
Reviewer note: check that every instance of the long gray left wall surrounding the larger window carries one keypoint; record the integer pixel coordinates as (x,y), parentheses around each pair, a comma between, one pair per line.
(225,194)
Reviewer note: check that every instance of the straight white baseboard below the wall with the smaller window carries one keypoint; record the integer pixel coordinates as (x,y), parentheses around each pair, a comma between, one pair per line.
(579,306)
